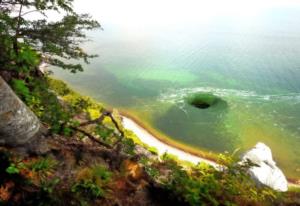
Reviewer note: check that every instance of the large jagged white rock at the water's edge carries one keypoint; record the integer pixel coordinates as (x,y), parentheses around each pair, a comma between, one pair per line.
(266,172)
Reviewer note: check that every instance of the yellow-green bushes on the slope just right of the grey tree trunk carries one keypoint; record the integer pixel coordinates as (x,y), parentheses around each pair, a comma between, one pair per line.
(40,94)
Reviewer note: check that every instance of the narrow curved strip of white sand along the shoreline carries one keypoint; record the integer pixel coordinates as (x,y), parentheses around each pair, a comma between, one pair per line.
(161,147)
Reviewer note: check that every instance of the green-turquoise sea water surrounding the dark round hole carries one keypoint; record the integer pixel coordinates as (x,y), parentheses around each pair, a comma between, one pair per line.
(254,67)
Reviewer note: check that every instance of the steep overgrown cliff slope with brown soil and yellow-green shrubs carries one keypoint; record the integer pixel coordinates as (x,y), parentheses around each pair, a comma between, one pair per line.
(94,159)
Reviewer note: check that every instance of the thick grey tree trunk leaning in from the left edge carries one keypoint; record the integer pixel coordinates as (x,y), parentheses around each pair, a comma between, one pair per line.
(18,124)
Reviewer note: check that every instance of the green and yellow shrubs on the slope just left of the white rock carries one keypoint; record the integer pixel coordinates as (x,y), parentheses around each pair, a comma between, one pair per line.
(205,184)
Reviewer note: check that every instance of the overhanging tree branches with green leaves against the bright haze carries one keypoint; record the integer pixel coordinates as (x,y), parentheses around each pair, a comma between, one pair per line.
(26,41)
